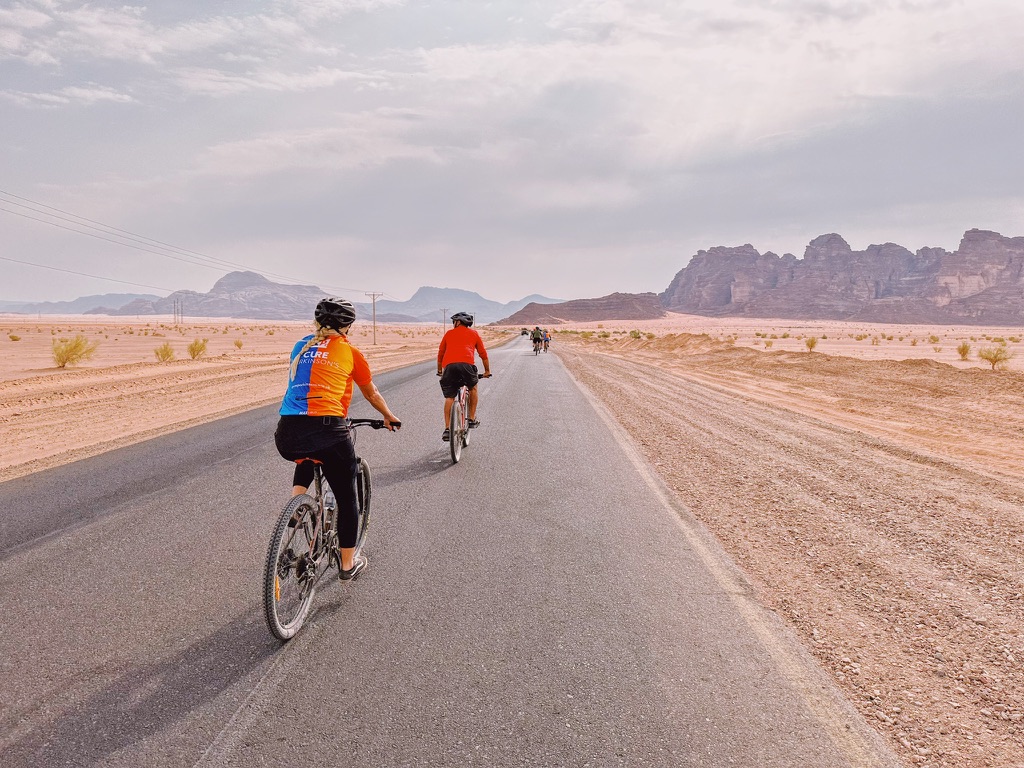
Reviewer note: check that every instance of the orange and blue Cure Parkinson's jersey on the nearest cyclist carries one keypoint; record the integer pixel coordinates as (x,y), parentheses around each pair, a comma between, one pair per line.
(323,382)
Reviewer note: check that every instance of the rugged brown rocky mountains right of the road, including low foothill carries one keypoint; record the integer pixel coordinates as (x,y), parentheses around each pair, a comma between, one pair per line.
(980,283)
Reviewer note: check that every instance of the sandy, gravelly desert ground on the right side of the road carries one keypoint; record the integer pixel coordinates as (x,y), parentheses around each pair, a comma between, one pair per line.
(876,501)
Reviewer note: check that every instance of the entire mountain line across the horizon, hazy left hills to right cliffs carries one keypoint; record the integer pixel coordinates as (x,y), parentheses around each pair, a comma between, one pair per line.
(980,283)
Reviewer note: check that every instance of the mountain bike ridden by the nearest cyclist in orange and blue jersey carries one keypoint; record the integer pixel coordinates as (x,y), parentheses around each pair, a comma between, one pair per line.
(305,545)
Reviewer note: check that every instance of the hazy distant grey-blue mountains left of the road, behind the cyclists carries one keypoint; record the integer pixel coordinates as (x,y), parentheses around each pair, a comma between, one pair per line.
(252,296)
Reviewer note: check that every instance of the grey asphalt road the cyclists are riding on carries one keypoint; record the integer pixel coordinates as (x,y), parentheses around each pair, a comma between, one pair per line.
(544,603)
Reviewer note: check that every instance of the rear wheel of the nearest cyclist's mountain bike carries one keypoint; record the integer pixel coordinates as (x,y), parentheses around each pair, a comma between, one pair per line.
(290,574)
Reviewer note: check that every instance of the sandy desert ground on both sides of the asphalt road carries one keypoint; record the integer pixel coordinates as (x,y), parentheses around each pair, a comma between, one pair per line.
(872,490)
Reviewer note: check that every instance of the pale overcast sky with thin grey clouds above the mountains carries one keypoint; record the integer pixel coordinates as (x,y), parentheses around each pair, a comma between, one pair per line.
(567,148)
